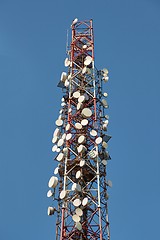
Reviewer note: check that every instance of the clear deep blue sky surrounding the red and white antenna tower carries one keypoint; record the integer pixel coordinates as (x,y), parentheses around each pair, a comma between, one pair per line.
(32,53)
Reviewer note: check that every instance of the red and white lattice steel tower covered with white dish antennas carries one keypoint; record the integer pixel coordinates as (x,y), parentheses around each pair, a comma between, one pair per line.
(80,143)
